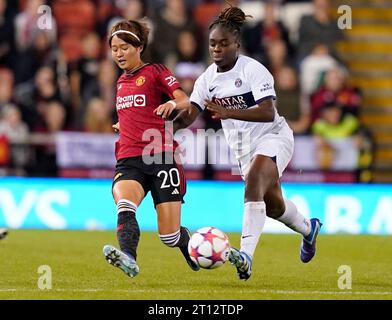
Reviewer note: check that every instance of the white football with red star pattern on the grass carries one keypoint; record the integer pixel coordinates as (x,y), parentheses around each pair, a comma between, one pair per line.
(209,247)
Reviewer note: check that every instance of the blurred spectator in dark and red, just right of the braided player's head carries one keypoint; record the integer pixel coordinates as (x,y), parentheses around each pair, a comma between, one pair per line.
(258,38)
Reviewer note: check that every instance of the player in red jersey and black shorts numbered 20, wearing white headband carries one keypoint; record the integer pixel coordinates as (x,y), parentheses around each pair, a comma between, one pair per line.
(144,151)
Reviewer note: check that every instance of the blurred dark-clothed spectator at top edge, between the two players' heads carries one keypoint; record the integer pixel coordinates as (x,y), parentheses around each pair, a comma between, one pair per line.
(168,24)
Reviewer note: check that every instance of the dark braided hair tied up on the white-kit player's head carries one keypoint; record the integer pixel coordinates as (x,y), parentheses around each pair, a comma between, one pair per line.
(232,19)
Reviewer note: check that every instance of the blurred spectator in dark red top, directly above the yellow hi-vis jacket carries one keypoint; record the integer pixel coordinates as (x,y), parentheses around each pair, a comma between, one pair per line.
(336,88)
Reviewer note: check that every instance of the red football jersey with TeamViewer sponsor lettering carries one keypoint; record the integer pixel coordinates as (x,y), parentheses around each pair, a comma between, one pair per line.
(138,94)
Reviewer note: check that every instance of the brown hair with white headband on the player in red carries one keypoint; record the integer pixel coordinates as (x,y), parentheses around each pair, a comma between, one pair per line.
(132,32)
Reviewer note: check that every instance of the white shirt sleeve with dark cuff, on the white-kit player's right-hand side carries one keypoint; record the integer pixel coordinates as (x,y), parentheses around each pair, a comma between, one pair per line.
(261,82)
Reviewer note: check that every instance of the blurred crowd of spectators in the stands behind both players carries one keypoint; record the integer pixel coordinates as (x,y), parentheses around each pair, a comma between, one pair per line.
(63,79)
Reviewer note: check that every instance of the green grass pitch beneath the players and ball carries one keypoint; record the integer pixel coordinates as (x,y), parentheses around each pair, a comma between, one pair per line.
(79,270)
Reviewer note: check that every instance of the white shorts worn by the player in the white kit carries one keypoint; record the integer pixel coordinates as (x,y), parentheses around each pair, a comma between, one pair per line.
(279,145)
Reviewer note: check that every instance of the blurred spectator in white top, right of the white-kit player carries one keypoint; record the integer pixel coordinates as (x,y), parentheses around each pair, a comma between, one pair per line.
(313,67)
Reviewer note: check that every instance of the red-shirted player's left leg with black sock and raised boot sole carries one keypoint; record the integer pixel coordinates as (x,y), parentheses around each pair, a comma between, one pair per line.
(128,195)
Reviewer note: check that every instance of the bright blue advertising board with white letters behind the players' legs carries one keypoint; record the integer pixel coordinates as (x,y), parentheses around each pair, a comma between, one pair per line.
(88,204)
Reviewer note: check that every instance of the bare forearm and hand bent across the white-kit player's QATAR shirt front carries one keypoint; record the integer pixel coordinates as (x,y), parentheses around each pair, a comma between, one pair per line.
(264,112)
